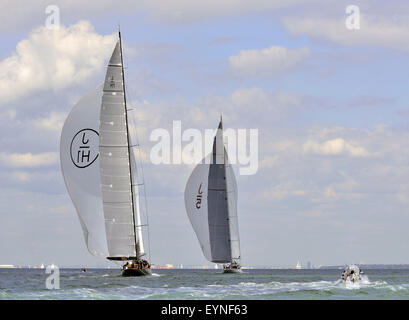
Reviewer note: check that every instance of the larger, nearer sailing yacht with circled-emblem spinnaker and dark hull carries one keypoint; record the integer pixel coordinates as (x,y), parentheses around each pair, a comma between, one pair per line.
(98,161)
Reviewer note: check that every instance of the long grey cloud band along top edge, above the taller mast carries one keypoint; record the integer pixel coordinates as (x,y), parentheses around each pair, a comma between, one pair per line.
(165,10)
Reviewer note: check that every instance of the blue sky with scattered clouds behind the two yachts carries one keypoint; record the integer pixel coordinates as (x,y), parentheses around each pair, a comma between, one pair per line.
(330,105)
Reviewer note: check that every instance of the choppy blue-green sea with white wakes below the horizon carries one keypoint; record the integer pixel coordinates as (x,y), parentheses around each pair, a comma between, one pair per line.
(190,284)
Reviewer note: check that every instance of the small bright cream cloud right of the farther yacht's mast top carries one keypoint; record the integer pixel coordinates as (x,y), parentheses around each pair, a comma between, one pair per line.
(336,146)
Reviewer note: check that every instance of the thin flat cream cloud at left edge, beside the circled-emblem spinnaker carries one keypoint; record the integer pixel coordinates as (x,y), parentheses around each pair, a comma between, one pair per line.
(29,159)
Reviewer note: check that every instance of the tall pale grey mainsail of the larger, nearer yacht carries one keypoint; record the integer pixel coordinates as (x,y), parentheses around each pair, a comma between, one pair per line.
(116,181)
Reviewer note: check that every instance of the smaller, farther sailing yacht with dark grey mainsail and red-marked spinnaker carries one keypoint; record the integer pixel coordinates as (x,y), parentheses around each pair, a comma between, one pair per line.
(211,205)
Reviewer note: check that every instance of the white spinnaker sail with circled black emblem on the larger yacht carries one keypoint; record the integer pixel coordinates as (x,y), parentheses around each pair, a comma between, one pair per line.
(80,167)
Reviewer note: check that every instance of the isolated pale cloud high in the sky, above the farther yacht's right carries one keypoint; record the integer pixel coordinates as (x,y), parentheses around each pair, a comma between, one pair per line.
(266,62)
